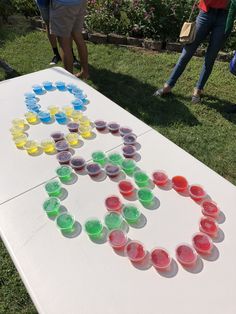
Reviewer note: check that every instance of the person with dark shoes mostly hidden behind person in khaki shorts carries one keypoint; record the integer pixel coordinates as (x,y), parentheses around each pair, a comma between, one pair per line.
(44,9)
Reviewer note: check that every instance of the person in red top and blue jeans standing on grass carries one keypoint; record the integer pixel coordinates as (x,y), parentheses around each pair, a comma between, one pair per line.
(212,20)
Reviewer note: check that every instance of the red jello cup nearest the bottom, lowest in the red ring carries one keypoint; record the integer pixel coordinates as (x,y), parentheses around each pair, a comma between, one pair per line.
(160,259)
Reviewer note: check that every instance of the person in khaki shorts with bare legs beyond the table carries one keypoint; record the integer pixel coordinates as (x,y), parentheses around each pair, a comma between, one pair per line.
(66,22)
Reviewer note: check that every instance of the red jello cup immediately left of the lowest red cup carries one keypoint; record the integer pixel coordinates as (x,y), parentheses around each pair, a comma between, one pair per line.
(135,251)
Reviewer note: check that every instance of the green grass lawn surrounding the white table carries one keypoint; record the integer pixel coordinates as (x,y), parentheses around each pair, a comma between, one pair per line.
(129,78)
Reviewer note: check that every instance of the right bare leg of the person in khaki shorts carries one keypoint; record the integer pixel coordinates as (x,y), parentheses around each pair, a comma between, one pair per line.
(83,54)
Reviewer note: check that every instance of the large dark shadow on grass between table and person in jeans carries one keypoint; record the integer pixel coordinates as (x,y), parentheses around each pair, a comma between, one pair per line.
(136,97)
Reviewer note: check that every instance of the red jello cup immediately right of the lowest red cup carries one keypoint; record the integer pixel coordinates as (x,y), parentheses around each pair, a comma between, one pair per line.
(186,255)
